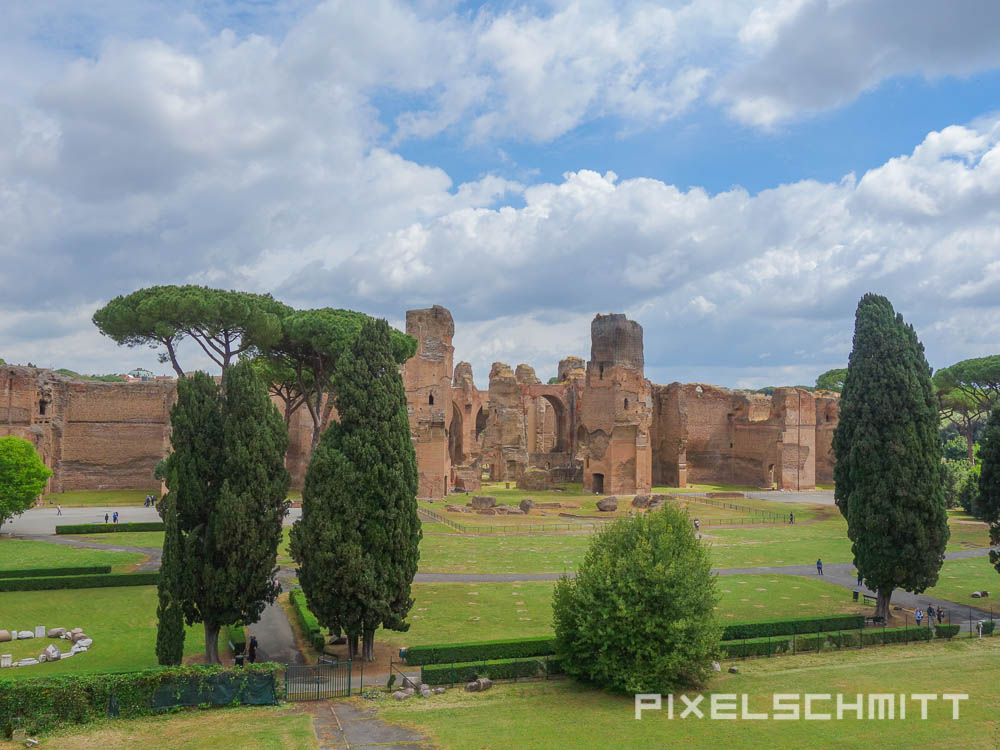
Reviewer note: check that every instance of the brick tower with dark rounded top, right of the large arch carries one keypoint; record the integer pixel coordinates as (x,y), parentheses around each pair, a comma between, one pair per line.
(617,409)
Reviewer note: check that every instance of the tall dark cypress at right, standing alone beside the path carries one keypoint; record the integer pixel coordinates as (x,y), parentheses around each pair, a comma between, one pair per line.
(889,482)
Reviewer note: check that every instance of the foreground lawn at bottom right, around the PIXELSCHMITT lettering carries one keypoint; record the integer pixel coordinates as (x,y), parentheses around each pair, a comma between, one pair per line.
(564,713)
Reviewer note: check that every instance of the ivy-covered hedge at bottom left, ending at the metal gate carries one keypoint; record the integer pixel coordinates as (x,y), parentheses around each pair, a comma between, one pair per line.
(41,704)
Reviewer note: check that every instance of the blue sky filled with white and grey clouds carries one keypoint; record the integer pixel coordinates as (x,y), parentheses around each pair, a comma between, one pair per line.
(733,174)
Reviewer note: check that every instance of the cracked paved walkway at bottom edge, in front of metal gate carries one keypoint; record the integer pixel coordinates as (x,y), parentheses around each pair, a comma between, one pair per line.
(349,725)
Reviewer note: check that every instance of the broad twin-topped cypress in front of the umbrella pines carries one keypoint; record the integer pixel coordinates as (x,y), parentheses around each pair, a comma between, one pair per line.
(228,480)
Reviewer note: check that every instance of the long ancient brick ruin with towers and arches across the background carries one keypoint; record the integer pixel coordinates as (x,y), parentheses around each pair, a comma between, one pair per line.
(603,424)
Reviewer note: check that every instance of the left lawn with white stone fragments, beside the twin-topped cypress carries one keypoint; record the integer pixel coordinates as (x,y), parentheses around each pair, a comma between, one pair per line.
(122,622)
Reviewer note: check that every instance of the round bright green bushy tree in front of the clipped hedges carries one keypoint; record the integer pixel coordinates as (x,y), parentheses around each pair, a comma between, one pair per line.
(639,616)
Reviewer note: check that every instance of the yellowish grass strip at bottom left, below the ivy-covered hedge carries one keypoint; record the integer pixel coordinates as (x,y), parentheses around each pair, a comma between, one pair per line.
(216,729)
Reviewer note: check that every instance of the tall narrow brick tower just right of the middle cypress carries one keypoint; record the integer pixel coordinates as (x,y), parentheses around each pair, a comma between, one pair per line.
(427,378)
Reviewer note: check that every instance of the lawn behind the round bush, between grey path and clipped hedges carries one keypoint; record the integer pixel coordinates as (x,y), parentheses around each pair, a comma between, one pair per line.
(455,612)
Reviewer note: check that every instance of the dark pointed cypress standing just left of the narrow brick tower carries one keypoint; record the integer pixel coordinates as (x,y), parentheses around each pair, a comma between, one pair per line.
(357,541)
